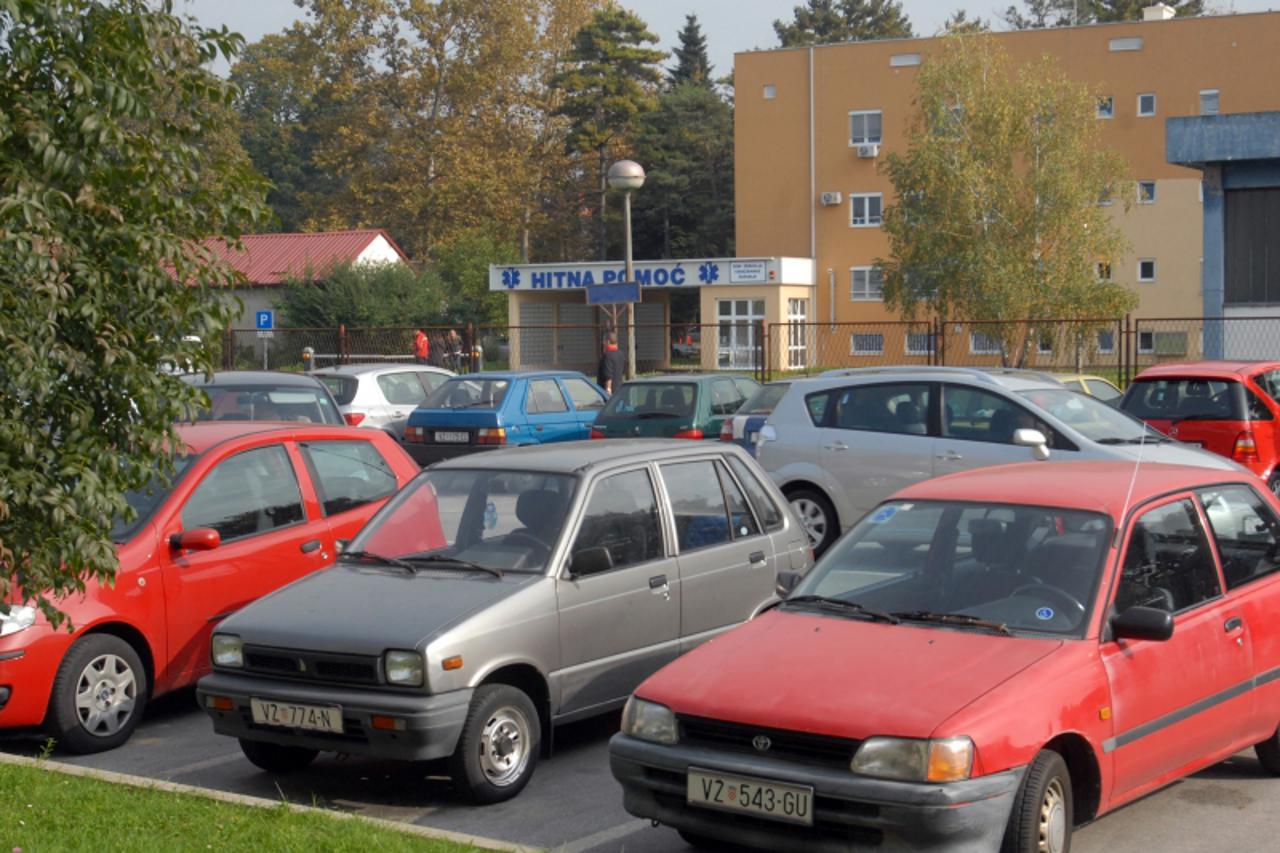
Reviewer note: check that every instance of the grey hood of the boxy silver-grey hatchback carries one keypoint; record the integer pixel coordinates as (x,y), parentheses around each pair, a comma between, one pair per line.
(365,610)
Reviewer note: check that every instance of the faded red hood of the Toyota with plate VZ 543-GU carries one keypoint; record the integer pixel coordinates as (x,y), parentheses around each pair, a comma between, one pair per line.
(839,677)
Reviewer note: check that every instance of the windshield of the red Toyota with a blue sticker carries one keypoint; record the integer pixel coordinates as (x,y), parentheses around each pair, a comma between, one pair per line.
(964,567)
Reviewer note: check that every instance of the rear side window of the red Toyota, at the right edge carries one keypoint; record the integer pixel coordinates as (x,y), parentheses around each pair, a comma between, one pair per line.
(1247,533)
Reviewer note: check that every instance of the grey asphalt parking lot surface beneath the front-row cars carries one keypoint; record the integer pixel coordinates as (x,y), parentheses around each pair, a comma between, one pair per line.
(574,806)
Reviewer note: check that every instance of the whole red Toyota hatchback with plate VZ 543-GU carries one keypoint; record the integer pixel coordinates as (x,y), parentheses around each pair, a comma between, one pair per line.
(981,664)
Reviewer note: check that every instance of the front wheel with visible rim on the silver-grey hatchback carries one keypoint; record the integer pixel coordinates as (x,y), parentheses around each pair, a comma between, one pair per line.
(499,747)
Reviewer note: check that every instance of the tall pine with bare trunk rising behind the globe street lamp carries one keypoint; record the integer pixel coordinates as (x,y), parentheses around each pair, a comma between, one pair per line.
(610,81)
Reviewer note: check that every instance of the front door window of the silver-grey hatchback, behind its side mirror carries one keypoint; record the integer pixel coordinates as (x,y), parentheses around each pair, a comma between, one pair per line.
(621,517)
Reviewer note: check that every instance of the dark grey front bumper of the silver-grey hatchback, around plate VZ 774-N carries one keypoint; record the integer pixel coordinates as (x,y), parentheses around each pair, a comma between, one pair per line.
(432,723)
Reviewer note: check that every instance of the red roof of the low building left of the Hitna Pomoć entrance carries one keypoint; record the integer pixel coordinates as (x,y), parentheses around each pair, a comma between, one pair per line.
(269,259)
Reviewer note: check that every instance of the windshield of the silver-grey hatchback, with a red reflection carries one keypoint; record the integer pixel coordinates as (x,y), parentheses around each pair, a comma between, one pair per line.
(506,521)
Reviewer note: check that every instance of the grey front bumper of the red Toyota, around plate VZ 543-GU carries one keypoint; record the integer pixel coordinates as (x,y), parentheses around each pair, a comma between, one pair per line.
(851,813)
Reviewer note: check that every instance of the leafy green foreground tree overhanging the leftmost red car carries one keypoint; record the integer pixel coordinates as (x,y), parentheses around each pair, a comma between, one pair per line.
(108,186)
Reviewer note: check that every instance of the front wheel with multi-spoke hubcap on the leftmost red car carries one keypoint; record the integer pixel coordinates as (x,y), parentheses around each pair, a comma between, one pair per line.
(99,695)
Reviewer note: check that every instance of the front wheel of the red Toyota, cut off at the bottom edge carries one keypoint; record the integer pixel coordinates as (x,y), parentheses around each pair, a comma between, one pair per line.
(1043,815)
